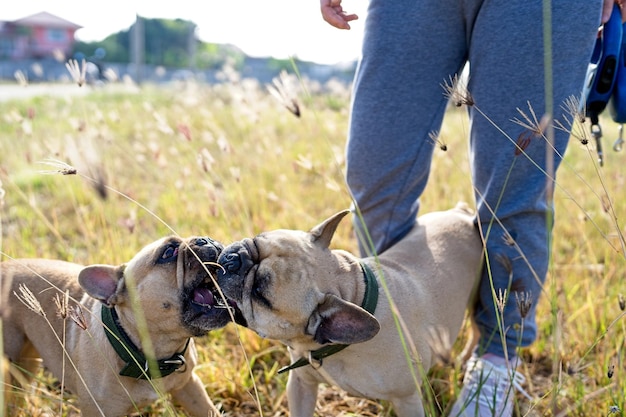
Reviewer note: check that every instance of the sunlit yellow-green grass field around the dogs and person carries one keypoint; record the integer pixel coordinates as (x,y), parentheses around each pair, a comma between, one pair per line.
(230,161)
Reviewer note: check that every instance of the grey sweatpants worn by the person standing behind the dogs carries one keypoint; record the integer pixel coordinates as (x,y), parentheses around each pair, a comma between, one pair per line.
(411,48)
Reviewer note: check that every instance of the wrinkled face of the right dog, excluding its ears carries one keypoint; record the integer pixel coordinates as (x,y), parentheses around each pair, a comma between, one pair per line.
(266,278)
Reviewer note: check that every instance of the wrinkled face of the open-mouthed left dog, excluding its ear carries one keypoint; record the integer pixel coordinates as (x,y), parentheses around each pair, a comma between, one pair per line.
(176,276)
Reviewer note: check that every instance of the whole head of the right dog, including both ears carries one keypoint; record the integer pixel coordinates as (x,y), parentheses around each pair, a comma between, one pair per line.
(284,283)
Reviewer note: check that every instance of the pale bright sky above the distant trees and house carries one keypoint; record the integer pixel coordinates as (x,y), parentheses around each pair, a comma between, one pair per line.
(261,28)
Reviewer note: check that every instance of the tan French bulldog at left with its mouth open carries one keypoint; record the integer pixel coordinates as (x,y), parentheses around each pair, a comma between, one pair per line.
(105,363)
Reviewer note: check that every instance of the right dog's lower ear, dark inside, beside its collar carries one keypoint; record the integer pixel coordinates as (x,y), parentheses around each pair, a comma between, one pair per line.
(338,321)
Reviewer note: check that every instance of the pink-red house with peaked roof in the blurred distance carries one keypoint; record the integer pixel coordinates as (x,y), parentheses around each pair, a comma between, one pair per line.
(42,35)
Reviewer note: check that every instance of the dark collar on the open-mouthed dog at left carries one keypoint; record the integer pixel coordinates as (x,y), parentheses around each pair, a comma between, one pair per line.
(137,365)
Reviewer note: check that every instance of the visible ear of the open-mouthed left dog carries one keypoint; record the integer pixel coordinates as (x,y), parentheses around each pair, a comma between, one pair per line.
(102,282)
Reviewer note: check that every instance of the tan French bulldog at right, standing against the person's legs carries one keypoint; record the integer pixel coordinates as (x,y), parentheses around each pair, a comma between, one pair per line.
(330,309)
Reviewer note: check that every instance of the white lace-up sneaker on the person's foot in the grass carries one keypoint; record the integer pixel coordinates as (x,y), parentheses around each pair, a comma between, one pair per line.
(488,390)
